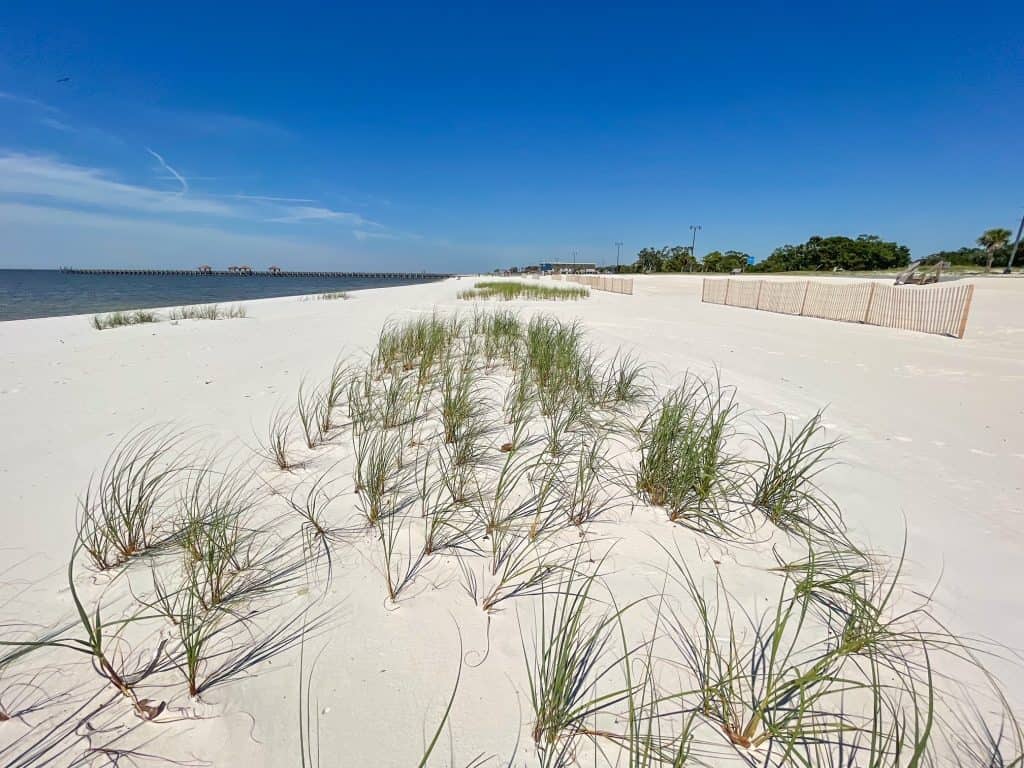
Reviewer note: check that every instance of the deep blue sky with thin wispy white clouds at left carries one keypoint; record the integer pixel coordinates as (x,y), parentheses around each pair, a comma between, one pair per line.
(478,136)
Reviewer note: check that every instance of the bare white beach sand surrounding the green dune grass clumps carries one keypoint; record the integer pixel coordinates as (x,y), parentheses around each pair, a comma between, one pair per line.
(931,453)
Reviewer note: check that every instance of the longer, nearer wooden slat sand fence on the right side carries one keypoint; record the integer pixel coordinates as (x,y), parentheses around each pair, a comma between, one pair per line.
(932,310)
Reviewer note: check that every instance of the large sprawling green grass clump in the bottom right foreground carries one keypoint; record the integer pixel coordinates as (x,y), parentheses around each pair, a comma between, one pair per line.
(814,676)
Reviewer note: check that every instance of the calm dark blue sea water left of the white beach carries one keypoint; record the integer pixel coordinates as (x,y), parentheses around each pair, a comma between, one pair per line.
(47,293)
